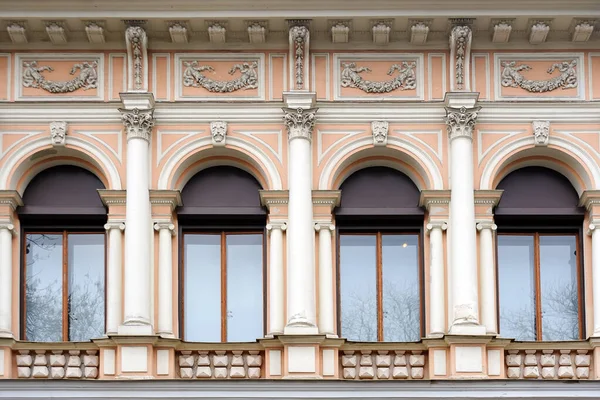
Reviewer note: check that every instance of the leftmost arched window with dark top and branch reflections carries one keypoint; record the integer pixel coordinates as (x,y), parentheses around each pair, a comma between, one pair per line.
(64,256)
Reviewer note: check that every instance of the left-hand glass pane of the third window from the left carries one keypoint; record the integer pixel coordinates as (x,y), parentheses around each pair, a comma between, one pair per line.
(358,287)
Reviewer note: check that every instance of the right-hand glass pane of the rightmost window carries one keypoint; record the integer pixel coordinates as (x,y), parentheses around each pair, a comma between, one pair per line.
(560,299)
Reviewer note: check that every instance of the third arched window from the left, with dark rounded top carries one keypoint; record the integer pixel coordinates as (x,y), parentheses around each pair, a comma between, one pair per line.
(380,229)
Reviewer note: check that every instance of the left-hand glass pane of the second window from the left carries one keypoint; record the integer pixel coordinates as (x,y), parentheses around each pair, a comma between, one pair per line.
(202,288)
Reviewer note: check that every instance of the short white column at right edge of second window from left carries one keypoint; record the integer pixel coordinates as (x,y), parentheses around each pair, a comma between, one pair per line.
(276,283)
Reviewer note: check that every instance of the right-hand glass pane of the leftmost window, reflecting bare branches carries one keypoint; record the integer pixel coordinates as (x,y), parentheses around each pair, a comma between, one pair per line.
(86,286)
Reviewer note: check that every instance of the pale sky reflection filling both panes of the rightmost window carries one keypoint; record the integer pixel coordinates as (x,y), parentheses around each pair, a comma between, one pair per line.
(558,269)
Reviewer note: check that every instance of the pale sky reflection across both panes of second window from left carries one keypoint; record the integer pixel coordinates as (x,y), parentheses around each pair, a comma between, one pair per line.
(202,292)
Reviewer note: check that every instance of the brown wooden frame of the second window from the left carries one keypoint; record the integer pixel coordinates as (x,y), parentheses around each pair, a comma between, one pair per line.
(223,233)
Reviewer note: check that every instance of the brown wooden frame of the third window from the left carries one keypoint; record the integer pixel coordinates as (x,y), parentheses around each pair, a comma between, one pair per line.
(379,233)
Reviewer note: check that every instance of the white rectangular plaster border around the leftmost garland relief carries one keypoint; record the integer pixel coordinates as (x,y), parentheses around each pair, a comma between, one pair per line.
(41,57)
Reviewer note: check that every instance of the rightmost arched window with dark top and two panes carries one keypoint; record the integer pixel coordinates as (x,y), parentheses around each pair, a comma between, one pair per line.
(539,256)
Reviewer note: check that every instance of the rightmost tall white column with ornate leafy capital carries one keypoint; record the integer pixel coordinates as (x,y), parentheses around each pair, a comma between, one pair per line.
(461,114)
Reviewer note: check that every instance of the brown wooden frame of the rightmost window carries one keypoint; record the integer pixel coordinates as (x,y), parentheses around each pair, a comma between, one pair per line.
(536,234)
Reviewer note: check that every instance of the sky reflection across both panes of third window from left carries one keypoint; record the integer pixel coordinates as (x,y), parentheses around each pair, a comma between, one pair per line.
(358,287)
